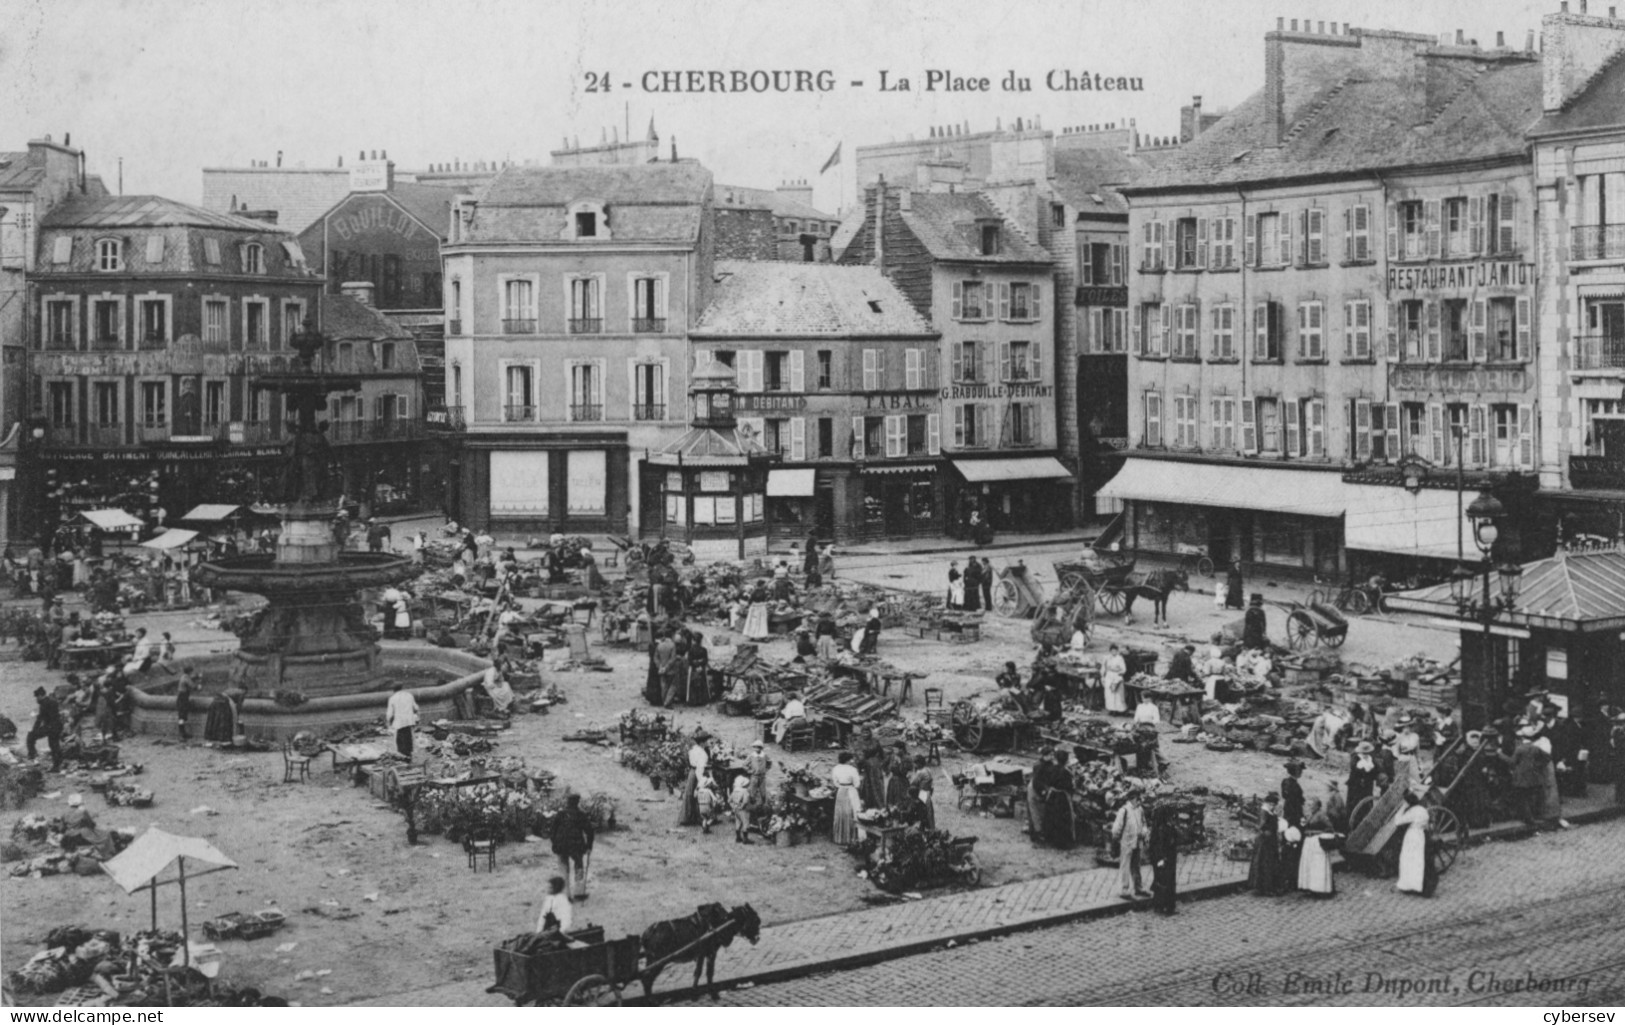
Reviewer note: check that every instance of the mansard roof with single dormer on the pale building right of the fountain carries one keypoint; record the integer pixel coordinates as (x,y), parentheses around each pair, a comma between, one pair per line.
(643,202)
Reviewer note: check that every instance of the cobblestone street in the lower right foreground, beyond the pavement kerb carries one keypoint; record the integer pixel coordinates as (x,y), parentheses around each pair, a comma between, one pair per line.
(1543,909)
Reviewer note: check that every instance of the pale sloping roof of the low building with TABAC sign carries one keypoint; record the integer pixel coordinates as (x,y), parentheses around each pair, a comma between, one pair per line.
(807,300)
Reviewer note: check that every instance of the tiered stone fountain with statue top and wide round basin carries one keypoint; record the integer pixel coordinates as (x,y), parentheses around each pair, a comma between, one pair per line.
(310,660)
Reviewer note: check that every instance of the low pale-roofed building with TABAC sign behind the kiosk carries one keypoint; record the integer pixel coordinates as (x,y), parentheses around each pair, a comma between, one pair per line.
(838,376)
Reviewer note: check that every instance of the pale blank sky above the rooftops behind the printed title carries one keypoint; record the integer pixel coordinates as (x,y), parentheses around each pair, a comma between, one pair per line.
(173,87)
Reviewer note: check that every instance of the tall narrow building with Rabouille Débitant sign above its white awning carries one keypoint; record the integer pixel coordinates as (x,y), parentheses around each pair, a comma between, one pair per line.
(989,290)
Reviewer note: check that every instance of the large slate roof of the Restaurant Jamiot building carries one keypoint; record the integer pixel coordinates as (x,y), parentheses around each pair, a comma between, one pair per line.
(1358,123)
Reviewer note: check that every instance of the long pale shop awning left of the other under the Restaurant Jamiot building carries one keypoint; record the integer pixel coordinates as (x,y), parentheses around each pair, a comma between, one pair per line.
(1262,488)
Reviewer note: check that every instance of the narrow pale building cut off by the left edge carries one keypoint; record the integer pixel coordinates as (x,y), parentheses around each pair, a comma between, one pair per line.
(32,184)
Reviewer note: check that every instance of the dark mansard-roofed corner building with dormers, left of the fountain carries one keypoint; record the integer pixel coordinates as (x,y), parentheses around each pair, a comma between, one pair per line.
(150,321)
